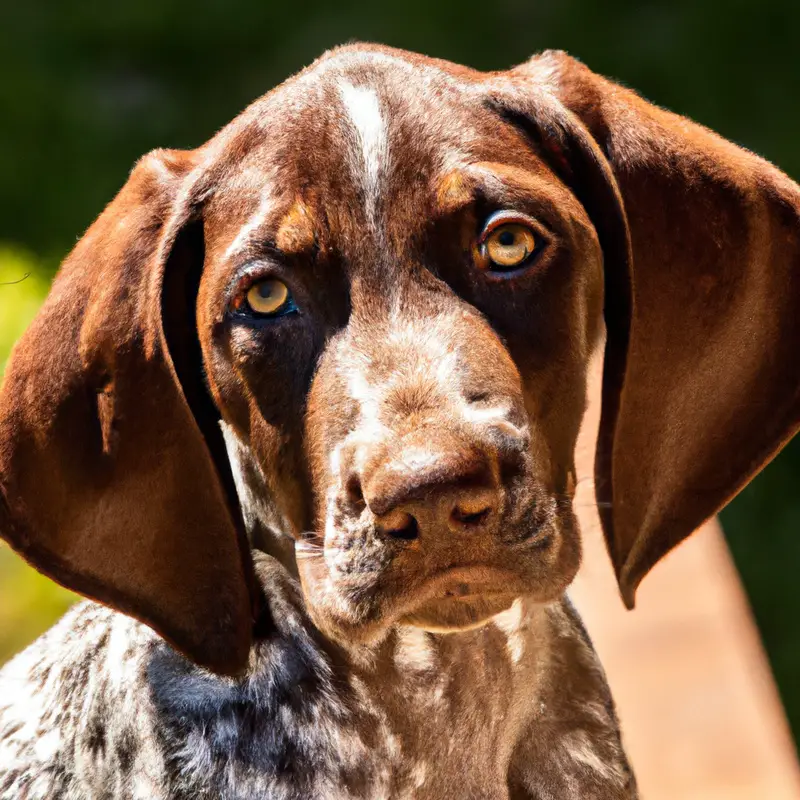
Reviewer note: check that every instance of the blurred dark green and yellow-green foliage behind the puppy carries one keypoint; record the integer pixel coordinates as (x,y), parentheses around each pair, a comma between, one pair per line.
(89,87)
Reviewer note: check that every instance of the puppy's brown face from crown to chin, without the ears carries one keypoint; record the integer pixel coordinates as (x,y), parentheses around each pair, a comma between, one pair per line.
(399,301)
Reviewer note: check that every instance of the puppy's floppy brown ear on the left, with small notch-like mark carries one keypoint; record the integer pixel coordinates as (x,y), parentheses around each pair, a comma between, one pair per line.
(112,473)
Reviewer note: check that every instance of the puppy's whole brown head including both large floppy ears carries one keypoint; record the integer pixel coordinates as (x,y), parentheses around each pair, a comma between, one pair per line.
(369,304)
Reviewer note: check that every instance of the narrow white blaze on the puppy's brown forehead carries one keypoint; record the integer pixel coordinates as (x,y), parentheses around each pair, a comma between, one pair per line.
(364,112)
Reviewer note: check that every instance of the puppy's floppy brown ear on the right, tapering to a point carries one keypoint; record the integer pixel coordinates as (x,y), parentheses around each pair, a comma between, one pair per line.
(701,244)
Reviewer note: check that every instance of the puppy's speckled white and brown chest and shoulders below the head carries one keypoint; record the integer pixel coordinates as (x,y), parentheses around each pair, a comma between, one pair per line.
(102,708)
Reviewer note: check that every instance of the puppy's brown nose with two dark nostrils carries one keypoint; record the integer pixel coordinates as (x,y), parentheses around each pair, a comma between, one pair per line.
(431,483)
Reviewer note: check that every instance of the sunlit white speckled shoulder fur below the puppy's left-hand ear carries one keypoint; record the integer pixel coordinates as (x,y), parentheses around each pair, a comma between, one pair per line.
(73,717)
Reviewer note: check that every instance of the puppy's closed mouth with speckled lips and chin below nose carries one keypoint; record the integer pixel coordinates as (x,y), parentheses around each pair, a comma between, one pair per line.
(357,590)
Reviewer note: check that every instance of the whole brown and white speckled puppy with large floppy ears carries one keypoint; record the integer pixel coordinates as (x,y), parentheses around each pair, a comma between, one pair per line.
(299,415)
